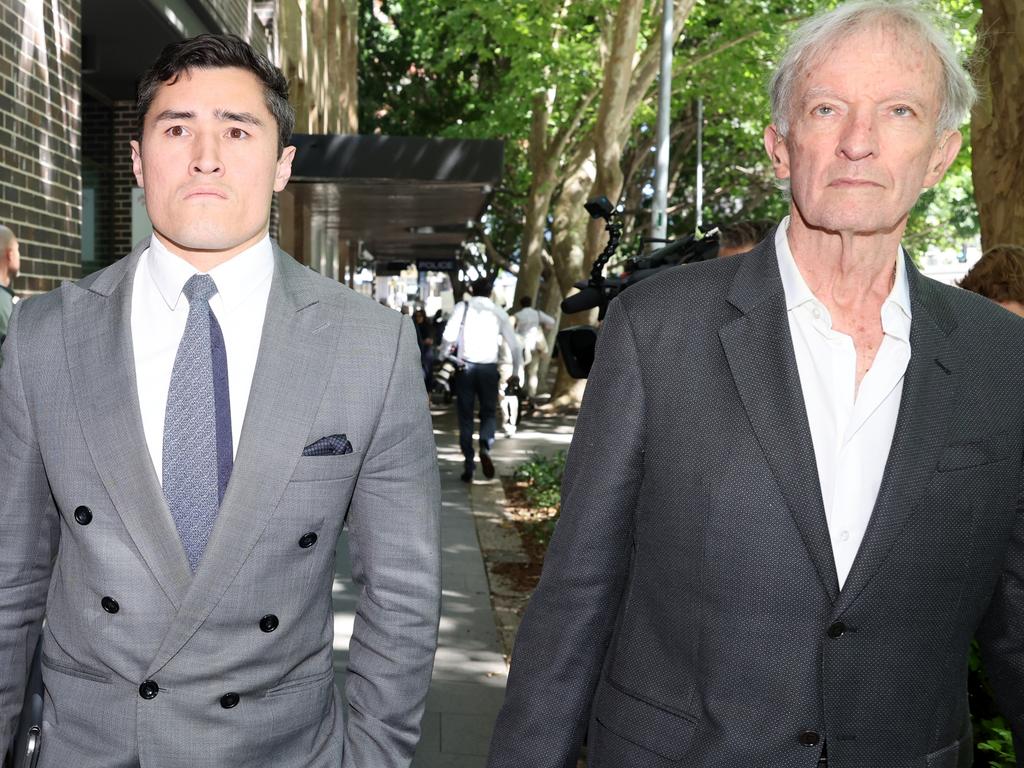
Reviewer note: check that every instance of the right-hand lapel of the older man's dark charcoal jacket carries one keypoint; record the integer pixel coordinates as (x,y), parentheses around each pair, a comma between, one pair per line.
(930,392)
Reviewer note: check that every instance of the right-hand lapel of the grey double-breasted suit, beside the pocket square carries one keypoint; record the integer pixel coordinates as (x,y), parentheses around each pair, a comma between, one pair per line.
(296,356)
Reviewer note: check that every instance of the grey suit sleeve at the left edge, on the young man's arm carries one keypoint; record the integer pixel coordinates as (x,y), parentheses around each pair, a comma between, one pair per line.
(29,532)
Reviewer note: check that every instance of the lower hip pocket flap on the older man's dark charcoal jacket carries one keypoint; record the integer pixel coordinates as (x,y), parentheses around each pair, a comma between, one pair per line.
(646,724)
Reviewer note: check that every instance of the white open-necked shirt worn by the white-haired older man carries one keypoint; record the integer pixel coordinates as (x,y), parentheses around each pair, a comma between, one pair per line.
(851,429)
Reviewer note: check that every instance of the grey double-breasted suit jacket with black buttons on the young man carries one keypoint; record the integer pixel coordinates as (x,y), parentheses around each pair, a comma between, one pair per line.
(147,665)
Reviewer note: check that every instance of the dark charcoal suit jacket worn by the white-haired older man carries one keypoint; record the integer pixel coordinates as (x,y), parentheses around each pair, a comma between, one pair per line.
(690,601)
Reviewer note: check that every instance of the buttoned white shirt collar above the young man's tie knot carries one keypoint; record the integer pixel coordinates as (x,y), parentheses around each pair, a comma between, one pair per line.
(236,279)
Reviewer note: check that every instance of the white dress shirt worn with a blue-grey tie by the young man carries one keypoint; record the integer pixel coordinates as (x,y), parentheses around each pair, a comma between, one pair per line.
(159,313)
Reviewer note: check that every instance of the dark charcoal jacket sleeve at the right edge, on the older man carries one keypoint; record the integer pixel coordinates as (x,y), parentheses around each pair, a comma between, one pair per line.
(1002,634)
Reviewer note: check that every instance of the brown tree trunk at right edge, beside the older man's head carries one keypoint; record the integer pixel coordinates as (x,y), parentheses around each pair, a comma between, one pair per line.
(998,125)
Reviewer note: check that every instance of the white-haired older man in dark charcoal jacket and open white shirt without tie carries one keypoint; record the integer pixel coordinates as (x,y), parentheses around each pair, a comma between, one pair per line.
(786,516)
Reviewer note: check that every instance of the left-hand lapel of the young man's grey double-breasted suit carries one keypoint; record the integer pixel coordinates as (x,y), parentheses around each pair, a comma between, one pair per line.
(102,362)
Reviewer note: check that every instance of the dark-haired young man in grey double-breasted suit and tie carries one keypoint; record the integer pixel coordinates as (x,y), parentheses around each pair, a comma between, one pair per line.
(193,426)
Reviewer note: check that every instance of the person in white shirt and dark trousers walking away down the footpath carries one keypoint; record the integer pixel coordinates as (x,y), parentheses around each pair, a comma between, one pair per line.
(473,338)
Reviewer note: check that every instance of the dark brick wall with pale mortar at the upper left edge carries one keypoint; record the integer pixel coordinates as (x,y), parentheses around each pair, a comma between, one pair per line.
(40,161)
